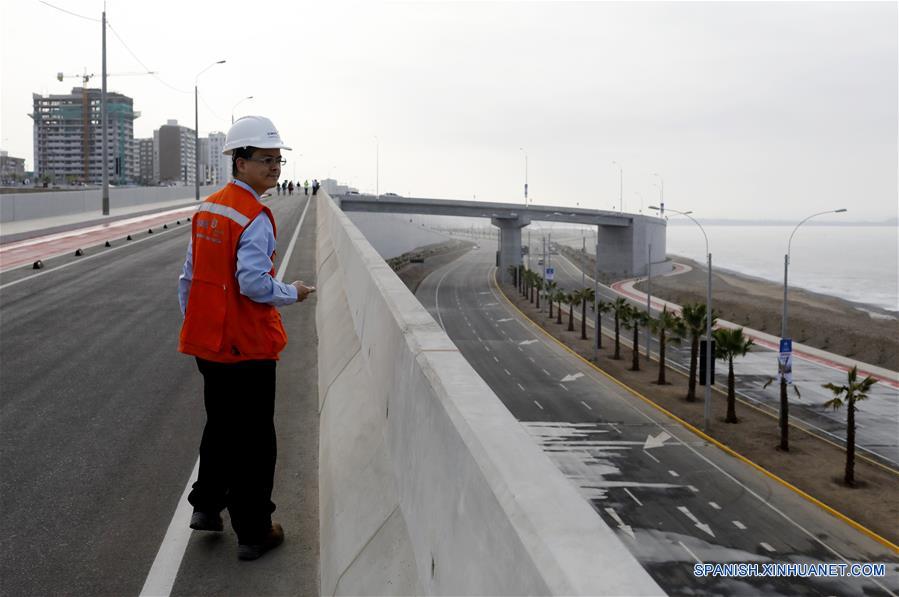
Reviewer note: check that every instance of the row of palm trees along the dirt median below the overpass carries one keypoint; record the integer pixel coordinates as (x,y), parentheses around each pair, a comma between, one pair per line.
(672,328)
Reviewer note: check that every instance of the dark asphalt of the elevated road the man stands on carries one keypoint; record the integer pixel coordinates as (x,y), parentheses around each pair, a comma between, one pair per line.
(100,421)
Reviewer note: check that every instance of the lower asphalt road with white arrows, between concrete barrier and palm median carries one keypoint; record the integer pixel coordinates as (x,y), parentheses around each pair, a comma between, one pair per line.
(674,500)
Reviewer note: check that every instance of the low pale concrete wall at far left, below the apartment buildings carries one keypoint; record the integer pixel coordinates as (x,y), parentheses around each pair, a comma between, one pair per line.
(28,206)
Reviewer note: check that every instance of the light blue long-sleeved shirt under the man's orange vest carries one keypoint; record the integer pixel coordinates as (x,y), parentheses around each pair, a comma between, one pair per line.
(254,264)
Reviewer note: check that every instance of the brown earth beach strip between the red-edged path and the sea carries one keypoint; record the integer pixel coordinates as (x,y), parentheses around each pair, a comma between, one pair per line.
(864,332)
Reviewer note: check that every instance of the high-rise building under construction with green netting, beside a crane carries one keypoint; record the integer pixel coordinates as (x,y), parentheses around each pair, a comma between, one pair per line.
(68,137)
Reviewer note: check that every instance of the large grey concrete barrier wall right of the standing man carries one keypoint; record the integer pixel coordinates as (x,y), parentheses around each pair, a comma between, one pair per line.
(427,484)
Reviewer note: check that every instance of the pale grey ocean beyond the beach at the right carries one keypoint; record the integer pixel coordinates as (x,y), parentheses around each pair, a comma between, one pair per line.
(856,263)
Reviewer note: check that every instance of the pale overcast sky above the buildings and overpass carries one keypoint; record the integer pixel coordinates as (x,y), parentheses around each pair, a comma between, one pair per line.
(761,110)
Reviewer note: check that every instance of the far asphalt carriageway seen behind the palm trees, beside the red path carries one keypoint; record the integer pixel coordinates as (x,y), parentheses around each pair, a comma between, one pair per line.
(877,418)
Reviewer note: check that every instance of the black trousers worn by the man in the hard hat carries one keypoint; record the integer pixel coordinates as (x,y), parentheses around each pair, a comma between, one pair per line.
(239,449)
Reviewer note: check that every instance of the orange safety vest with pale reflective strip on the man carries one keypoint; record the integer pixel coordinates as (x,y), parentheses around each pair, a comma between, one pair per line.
(221,324)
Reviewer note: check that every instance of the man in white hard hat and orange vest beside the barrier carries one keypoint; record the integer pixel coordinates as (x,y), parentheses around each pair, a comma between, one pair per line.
(228,295)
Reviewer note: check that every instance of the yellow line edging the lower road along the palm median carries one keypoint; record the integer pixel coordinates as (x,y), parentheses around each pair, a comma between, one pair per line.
(856,525)
